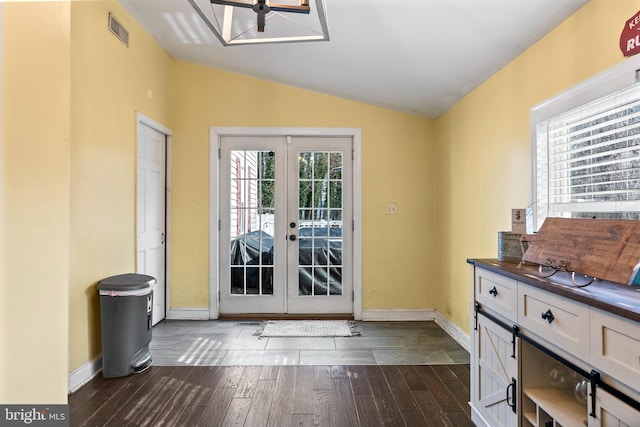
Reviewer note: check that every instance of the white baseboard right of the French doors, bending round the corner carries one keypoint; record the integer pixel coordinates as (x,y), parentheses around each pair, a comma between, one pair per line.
(420,315)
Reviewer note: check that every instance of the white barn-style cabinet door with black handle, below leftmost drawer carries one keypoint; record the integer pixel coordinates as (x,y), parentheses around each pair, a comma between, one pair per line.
(495,374)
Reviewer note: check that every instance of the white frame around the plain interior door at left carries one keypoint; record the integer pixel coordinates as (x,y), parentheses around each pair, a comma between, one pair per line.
(141,119)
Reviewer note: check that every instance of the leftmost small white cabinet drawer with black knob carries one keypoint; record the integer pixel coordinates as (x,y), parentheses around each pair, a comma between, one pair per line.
(497,293)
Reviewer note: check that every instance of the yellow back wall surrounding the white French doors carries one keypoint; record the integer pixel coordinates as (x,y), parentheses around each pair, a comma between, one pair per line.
(398,166)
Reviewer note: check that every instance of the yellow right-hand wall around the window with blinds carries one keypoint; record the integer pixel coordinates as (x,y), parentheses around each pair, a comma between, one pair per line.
(483,143)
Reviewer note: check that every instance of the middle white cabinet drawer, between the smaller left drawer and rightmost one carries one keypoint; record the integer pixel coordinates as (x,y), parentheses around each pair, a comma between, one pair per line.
(556,319)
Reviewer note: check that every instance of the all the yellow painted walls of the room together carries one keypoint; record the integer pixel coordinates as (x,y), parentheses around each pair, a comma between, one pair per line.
(70,91)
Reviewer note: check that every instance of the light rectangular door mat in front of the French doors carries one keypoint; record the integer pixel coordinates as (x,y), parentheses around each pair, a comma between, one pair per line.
(307,328)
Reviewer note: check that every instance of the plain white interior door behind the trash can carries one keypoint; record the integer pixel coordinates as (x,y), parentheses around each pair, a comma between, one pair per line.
(150,222)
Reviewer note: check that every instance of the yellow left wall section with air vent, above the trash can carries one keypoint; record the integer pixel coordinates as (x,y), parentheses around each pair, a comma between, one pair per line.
(110,82)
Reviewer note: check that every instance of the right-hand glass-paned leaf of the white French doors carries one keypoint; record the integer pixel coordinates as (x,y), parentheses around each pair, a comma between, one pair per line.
(320,266)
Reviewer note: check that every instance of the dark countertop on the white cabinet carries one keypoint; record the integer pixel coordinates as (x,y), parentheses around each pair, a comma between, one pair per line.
(623,300)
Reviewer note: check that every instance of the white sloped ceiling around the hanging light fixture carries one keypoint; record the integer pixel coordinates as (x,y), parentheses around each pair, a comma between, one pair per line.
(415,56)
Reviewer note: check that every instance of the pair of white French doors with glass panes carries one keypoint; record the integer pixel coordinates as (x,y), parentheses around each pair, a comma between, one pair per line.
(286,217)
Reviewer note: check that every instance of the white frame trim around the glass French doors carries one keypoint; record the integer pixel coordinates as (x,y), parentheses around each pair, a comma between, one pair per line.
(215,134)
